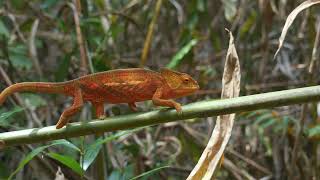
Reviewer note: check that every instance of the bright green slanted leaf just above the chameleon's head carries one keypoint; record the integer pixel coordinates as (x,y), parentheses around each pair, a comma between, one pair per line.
(177,58)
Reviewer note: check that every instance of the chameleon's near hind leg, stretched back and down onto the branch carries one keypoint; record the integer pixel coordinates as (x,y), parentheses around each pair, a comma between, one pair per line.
(76,106)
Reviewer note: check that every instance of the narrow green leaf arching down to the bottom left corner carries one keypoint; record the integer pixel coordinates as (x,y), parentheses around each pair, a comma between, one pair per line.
(35,152)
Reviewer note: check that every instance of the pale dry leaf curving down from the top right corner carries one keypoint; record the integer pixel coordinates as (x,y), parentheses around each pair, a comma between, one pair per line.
(291,18)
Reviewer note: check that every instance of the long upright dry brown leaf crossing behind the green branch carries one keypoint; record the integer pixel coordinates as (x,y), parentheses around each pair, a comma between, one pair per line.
(222,131)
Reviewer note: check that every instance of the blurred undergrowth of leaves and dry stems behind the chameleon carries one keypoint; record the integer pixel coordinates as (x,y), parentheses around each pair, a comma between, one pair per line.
(39,42)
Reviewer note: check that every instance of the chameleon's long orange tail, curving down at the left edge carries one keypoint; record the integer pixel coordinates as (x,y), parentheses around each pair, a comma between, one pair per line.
(32,87)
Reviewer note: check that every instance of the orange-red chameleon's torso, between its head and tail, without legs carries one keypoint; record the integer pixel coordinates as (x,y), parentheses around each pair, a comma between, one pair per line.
(120,86)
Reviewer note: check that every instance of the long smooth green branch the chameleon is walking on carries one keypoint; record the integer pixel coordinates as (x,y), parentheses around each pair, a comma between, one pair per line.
(194,110)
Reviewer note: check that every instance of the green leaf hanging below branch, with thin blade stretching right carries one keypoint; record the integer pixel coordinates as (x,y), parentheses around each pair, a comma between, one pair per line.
(92,151)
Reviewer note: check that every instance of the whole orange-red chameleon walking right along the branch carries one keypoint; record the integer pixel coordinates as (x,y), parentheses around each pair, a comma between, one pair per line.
(114,86)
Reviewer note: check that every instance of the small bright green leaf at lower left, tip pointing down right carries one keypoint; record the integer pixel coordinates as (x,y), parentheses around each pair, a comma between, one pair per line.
(68,161)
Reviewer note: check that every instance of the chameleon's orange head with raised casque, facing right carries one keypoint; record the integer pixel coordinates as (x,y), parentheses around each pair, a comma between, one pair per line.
(180,84)
